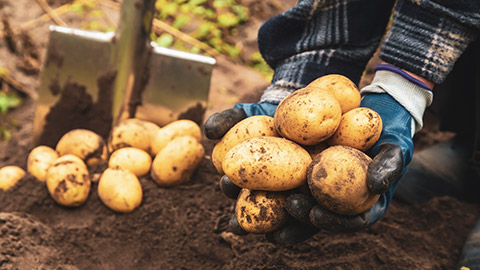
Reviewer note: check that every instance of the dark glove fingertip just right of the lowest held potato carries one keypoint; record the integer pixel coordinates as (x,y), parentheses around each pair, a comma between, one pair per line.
(299,207)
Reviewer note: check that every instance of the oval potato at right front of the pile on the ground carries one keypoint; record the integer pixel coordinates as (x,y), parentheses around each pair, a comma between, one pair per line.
(176,162)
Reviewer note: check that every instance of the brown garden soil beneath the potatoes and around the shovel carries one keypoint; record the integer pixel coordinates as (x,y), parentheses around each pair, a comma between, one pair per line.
(186,227)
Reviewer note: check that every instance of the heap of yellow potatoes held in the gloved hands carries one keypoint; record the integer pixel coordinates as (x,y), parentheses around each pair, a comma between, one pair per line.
(315,142)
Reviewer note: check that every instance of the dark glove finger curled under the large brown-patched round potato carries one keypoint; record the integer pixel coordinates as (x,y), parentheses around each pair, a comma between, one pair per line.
(332,222)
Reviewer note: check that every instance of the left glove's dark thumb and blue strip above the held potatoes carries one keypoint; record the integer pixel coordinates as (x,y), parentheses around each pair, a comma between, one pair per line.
(219,123)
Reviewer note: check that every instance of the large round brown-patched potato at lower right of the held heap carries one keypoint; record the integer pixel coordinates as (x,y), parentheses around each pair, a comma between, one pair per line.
(337,178)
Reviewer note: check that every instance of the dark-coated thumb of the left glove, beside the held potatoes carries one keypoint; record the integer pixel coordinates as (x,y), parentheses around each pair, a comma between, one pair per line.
(219,123)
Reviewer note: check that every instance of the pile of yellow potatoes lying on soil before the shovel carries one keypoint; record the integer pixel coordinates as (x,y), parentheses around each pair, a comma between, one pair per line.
(134,149)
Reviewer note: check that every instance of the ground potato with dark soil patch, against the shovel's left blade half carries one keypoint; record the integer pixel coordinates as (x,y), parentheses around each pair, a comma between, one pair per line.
(85,144)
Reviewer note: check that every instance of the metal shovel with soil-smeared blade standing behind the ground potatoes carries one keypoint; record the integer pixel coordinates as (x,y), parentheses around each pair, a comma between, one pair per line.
(93,80)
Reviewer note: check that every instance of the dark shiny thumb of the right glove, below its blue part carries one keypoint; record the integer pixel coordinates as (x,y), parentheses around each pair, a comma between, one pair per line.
(385,168)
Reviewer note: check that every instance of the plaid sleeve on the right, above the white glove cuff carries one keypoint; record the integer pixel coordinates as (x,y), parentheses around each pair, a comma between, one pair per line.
(428,36)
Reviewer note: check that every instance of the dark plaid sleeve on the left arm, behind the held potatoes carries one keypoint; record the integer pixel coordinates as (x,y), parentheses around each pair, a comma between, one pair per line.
(315,38)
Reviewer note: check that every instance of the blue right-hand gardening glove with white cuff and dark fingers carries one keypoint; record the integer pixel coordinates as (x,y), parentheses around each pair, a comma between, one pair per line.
(400,100)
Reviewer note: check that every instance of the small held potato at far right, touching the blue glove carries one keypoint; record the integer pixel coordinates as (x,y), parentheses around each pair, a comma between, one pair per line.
(359,128)
